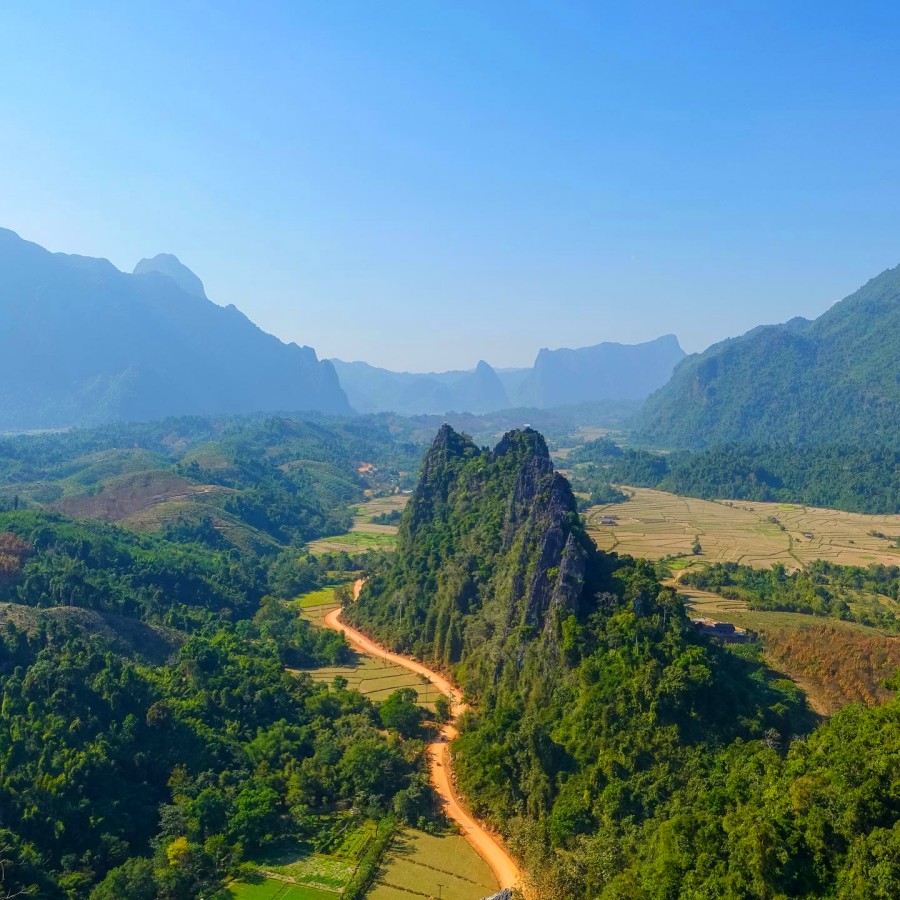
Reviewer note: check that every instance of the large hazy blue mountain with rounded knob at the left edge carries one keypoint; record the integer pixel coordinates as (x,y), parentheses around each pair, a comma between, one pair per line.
(83,343)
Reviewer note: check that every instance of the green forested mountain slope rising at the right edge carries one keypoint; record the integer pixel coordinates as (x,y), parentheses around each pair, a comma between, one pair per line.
(836,378)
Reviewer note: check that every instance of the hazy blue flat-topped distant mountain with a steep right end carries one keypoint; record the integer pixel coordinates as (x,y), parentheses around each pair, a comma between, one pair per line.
(605,371)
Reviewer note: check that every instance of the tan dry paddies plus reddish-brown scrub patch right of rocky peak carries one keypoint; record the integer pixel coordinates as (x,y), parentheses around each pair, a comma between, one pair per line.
(835,662)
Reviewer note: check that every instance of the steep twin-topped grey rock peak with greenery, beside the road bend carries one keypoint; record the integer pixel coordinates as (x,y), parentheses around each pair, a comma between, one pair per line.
(492,556)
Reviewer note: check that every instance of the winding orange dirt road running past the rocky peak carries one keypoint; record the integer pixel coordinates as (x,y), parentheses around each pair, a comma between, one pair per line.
(482,841)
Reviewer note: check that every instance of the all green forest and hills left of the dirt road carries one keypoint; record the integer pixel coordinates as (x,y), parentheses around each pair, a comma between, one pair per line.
(152,737)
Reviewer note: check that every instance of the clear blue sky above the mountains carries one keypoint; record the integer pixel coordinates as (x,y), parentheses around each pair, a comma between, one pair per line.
(421,184)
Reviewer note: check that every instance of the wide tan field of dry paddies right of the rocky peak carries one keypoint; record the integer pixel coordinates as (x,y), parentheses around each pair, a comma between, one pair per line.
(654,524)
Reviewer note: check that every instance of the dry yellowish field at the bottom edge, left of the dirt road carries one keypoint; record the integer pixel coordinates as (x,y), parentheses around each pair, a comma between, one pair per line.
(424,865)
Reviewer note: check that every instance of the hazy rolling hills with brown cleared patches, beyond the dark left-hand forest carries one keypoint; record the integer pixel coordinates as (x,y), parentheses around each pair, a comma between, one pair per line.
(253,483)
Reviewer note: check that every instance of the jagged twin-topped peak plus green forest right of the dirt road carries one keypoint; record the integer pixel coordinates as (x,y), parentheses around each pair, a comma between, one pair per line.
(622,755)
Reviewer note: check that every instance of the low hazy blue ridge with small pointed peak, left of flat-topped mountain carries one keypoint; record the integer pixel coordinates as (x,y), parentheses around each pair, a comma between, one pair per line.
(371,389)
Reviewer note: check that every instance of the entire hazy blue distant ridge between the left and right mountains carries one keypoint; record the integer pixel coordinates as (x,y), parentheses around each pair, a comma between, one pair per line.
(604,372)
